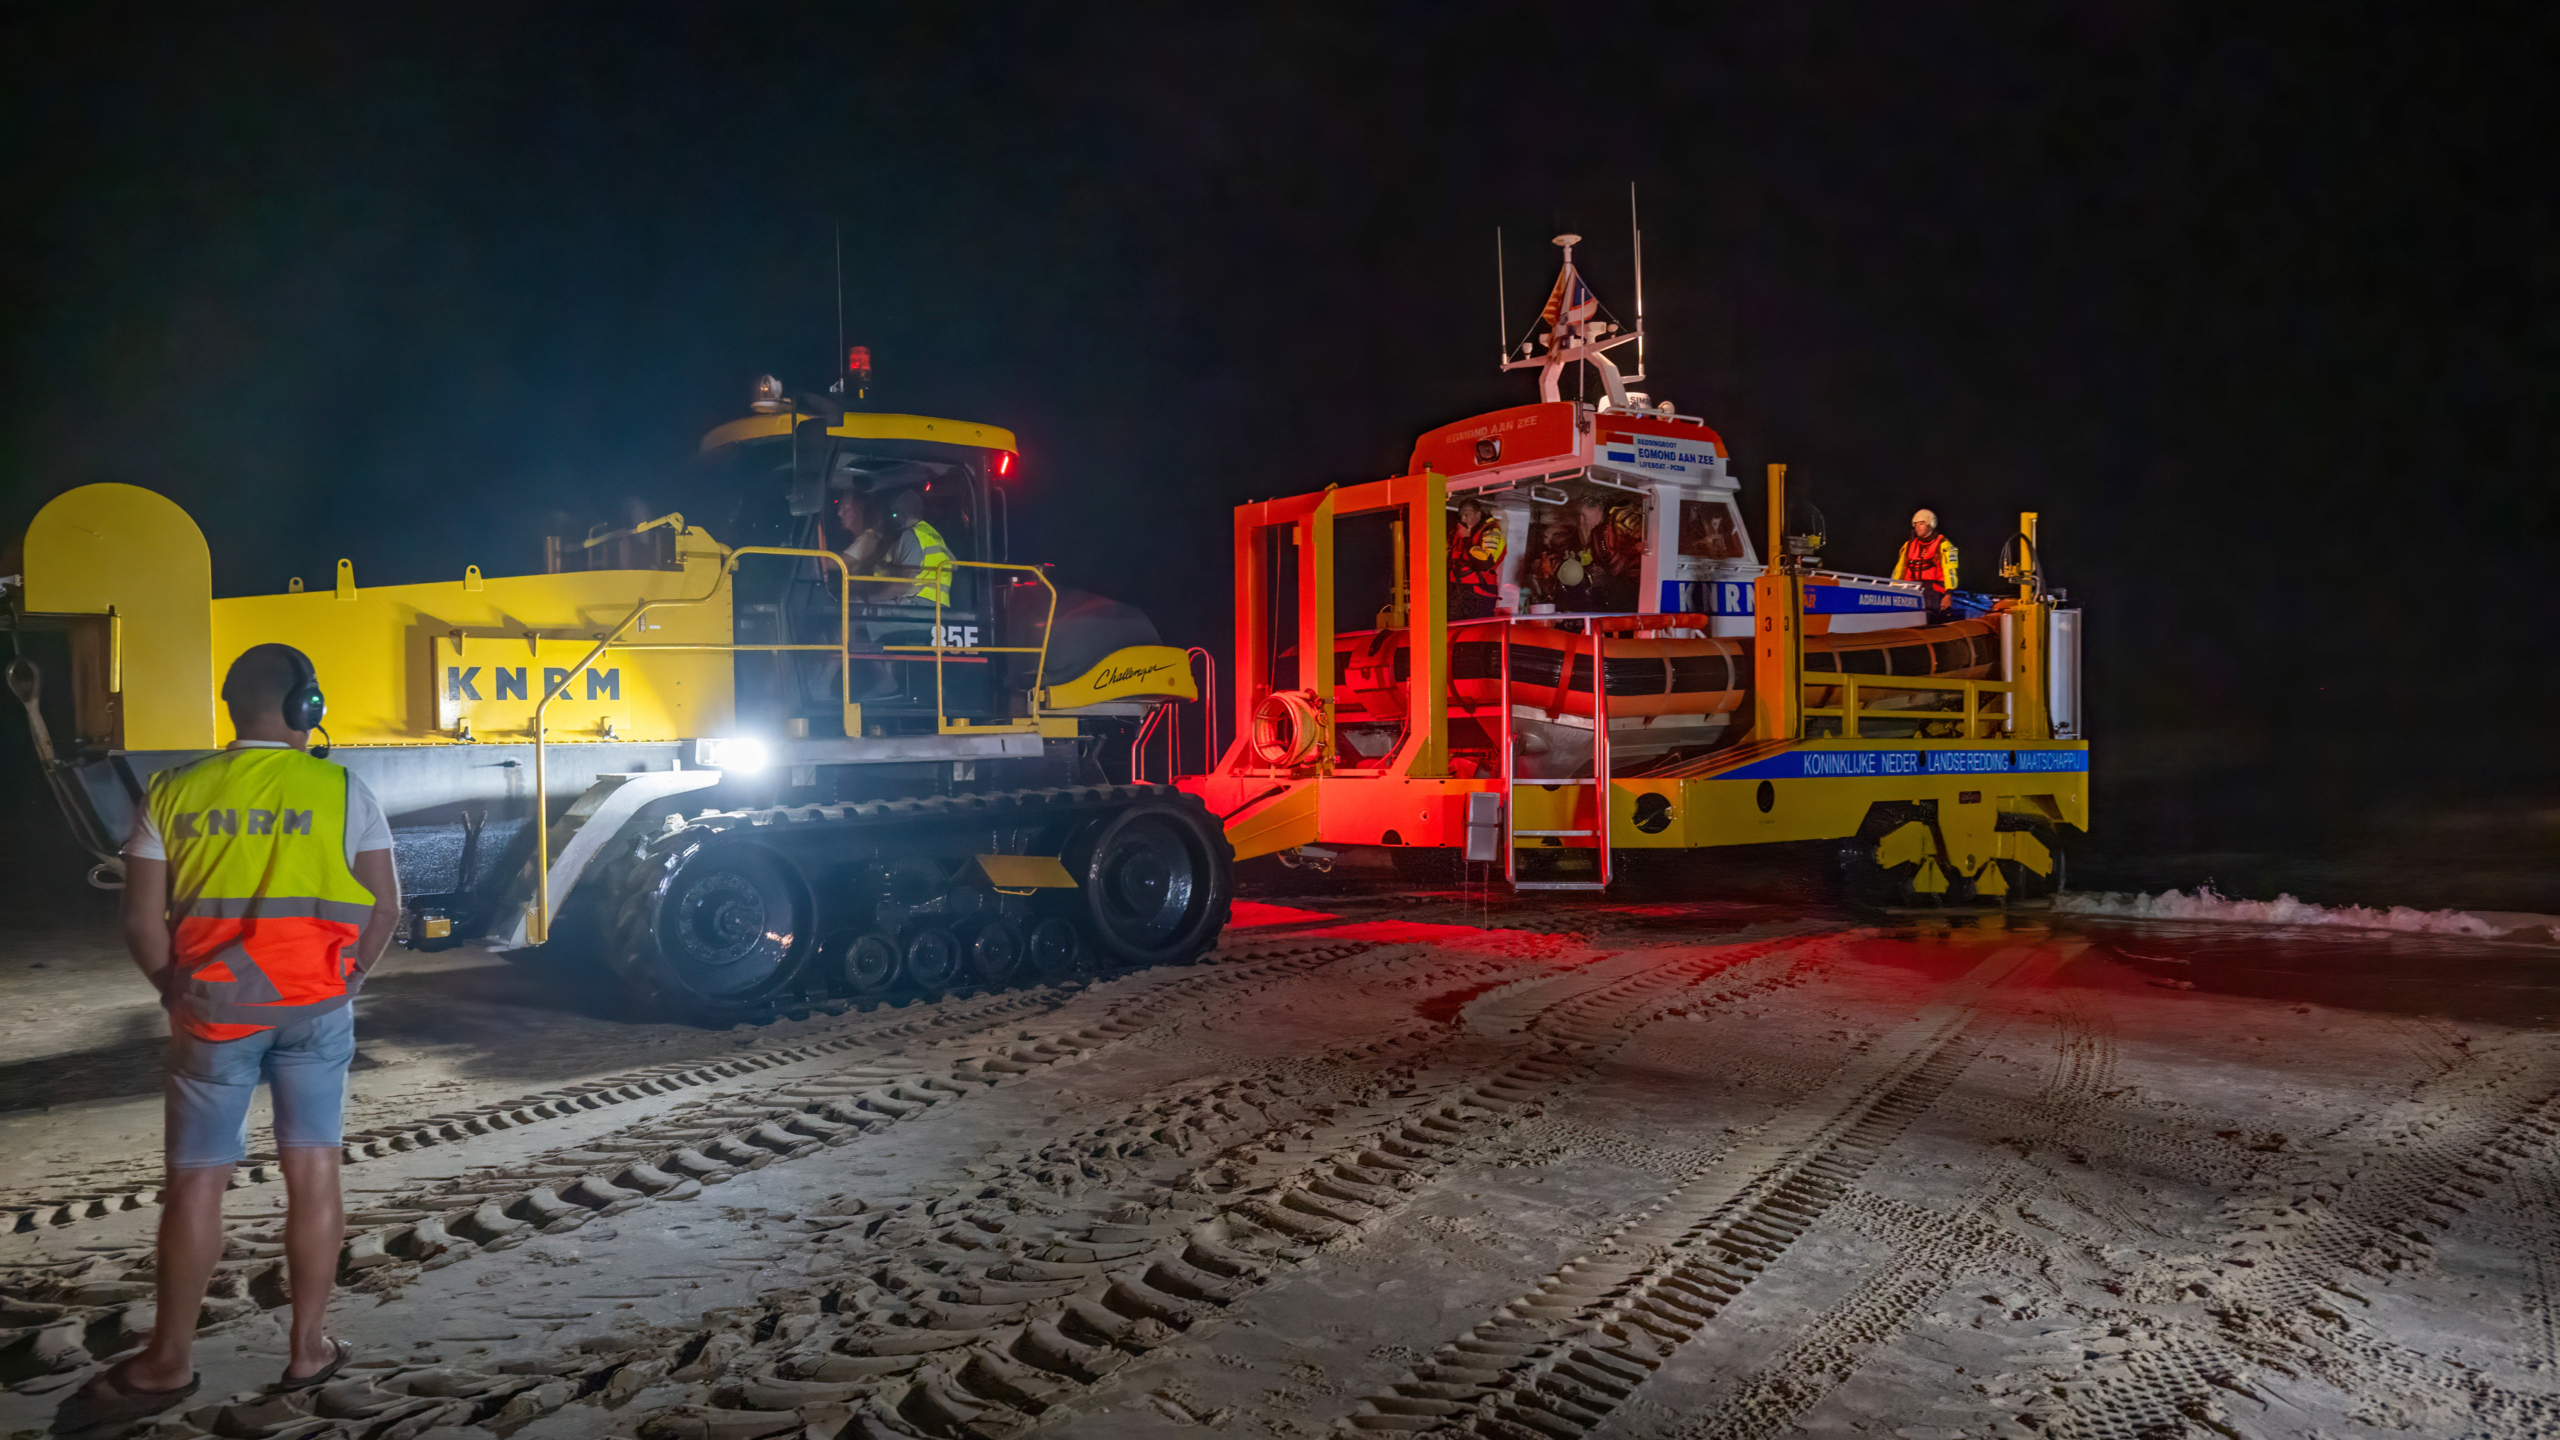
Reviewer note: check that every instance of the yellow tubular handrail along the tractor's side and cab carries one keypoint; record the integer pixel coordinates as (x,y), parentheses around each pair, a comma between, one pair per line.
(539,924)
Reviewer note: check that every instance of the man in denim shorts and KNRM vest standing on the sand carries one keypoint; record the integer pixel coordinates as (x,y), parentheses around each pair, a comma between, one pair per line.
(260,890)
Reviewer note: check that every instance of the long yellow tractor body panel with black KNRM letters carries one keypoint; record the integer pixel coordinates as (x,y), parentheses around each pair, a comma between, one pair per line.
(383,655)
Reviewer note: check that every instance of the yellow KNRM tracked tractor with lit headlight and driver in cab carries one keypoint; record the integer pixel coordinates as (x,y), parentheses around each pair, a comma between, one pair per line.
(756,773)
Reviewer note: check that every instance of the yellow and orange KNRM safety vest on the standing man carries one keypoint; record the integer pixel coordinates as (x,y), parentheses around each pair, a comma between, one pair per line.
(265,911)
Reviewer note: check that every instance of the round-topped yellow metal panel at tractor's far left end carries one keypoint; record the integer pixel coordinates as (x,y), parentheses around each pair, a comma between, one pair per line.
(137,555)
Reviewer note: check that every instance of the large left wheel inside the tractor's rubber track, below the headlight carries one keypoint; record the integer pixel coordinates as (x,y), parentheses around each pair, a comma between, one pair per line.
(728,931)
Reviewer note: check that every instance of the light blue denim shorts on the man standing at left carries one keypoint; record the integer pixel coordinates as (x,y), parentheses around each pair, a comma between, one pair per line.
(211,1083)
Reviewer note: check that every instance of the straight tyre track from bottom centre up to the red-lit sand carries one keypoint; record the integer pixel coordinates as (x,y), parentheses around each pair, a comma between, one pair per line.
(1565,1357)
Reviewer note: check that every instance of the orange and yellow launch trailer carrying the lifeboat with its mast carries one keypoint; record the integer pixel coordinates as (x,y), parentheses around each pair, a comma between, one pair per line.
(1627,673)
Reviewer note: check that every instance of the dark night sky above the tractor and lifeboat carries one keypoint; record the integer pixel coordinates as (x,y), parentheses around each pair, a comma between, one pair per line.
(2262,319)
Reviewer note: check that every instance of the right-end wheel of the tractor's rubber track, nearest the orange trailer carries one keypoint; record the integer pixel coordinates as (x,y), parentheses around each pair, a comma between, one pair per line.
(1156,883)
